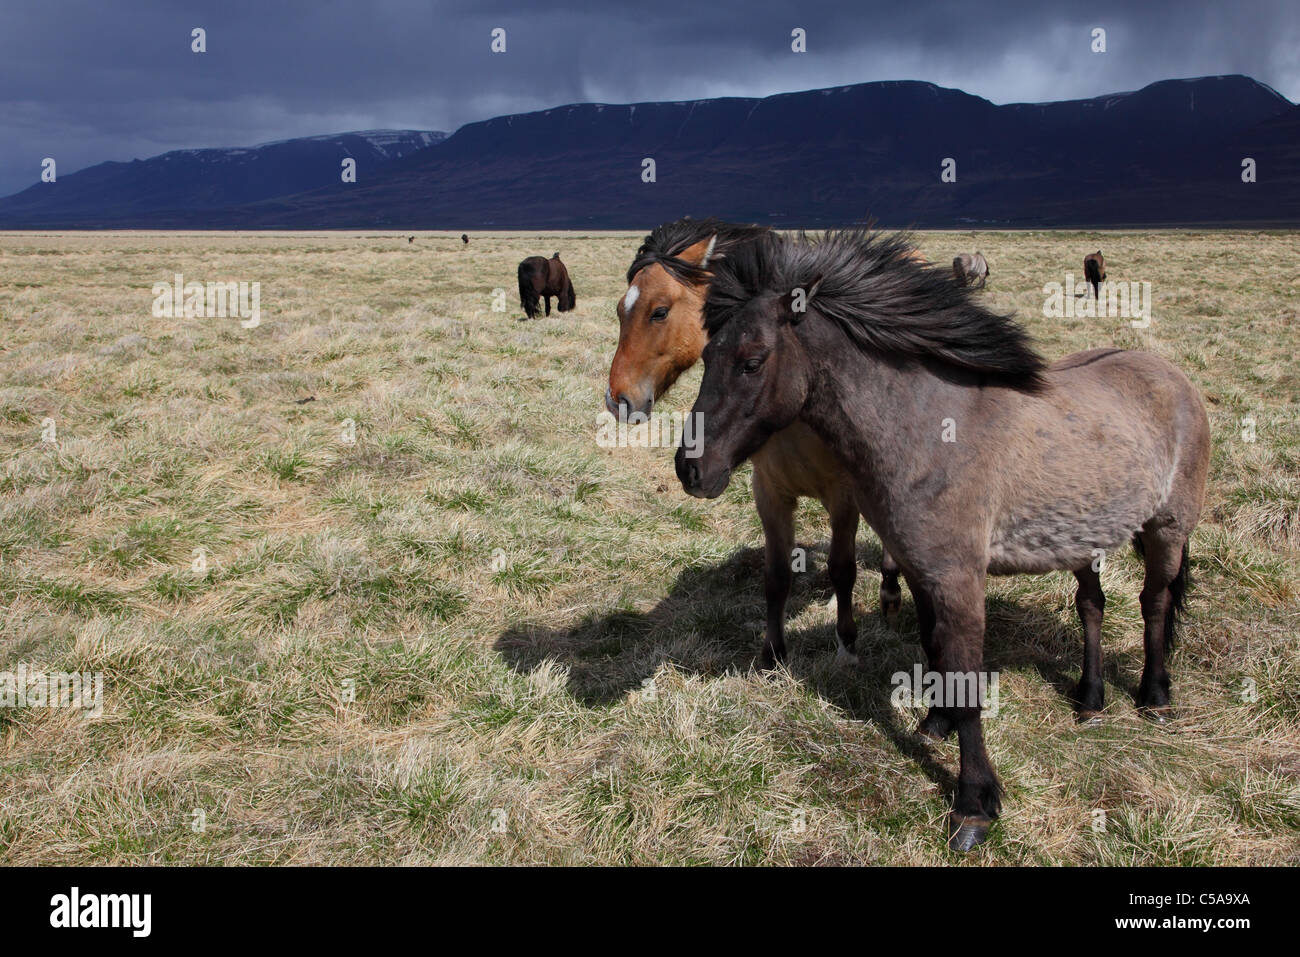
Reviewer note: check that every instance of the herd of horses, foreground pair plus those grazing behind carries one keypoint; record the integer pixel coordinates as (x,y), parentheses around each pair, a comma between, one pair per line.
(850,370)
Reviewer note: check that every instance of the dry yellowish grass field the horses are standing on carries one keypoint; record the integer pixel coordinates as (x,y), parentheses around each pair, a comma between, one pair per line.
(473,635)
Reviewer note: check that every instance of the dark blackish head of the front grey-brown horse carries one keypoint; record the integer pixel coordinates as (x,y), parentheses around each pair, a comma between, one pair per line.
(756,383)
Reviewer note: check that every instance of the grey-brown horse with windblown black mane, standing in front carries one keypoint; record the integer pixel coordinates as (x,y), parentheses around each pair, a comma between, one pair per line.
(970,456)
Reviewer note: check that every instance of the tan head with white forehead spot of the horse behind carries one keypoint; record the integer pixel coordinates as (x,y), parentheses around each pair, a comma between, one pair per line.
(661,332)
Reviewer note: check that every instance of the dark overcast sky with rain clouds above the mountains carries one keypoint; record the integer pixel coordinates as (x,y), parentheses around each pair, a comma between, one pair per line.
(88,81)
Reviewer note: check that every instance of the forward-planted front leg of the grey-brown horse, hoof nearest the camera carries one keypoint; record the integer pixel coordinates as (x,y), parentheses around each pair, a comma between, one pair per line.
(959,640)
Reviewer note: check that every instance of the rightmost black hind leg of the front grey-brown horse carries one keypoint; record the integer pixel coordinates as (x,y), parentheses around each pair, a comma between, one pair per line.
(1165,552)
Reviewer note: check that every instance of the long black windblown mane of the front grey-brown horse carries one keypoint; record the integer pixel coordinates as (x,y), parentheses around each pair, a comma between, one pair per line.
(883,301)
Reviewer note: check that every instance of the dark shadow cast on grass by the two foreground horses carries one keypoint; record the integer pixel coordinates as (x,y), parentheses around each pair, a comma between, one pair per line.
(712,623)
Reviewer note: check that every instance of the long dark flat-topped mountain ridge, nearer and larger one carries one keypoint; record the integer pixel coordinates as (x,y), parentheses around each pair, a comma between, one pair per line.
(1167,154)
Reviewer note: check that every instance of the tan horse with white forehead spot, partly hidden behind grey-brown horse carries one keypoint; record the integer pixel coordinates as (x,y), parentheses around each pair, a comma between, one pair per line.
(661,336)
